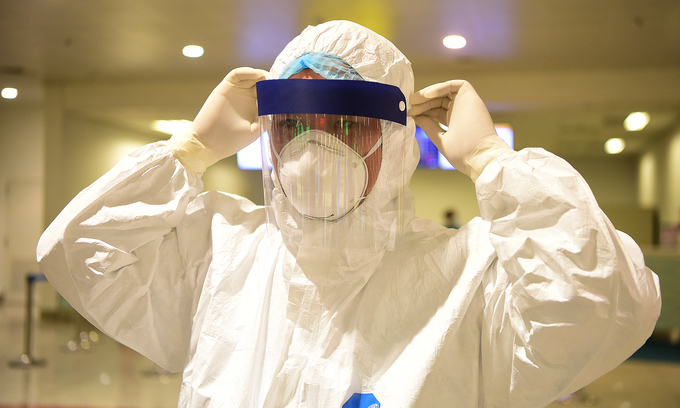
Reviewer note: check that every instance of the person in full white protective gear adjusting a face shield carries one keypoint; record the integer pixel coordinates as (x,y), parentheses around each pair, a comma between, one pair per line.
(343,298)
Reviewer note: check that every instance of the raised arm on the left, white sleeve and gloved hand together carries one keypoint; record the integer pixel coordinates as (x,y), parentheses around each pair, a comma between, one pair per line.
(130,252)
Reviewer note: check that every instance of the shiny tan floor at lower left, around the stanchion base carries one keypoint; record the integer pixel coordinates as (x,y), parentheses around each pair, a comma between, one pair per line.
(105,375)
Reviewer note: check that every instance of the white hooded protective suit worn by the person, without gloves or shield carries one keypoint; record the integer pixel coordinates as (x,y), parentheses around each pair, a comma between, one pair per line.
(532,301)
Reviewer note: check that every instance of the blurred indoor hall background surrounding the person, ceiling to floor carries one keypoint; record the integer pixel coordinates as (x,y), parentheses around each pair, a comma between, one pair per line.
(85,82)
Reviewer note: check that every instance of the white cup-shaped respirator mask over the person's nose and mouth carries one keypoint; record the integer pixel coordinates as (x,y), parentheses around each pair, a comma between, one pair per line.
(322,177)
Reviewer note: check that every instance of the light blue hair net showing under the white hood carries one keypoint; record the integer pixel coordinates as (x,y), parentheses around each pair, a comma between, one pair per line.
(327,65)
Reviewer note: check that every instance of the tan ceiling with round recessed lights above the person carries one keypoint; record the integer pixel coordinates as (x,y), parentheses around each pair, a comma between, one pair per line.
(563,73)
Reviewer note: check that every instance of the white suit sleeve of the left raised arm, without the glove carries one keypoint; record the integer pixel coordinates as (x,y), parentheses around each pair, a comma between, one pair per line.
(115,255)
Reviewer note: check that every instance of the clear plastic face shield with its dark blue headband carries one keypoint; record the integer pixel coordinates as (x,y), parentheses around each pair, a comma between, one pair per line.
(323,145)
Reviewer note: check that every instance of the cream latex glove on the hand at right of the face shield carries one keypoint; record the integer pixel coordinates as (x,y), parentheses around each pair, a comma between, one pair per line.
(471,141)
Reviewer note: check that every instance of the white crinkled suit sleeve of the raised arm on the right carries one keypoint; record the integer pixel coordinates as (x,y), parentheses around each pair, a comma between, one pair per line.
(569,297)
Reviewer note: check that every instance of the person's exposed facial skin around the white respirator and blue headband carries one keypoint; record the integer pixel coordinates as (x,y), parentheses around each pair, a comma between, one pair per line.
(359,133)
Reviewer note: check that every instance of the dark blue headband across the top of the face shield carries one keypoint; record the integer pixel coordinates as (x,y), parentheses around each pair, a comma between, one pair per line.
(331,96)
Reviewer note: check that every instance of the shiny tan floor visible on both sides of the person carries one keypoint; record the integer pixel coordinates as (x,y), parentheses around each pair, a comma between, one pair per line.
(86,369)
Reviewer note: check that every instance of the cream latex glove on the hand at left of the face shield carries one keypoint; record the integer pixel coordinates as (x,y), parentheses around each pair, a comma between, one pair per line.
(226,123)
